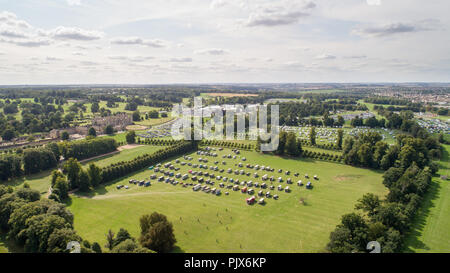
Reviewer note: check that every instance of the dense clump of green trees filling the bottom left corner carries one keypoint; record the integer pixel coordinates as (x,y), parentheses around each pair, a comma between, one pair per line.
(34,224)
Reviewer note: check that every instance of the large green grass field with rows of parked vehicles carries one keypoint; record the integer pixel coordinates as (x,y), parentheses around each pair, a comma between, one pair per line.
(207,223)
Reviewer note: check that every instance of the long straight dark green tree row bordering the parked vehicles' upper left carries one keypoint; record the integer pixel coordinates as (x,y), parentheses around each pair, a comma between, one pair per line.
(123,168)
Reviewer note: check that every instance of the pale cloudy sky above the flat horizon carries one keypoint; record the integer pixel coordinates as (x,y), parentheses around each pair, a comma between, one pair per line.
(223,41)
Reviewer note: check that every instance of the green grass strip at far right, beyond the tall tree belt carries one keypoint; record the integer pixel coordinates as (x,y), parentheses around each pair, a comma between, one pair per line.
(431,228)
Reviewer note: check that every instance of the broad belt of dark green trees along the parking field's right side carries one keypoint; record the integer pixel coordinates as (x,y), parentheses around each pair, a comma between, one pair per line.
(386,221)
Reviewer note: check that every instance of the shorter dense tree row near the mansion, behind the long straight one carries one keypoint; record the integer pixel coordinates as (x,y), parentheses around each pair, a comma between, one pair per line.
(87,148)
